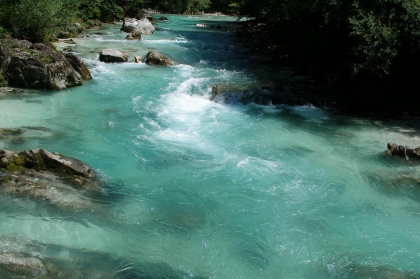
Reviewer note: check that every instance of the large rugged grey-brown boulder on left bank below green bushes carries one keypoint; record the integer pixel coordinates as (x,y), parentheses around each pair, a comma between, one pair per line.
(38,66)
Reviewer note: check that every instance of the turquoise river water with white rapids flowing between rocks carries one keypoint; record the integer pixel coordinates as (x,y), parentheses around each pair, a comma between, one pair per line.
(212,189)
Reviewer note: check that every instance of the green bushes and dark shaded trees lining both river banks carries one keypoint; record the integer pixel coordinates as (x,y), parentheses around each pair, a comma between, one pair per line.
(364,55)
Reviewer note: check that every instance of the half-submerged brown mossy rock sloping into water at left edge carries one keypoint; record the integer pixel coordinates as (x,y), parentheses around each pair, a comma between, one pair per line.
(42,175)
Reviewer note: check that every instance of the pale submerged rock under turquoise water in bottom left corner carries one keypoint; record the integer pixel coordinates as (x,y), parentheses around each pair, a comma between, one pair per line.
(21,258)
